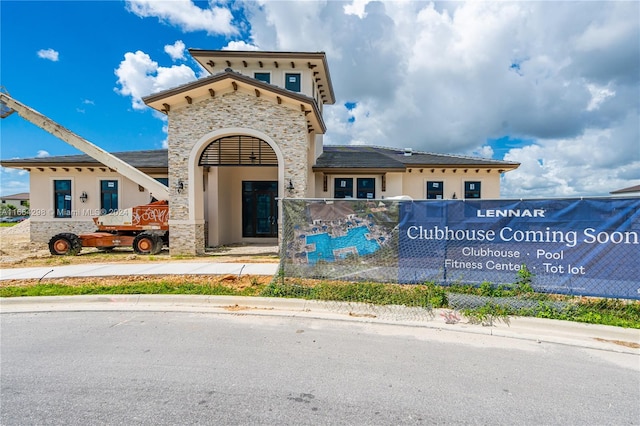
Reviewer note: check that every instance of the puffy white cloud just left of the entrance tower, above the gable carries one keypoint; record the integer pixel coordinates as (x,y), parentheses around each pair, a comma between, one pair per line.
(139,76)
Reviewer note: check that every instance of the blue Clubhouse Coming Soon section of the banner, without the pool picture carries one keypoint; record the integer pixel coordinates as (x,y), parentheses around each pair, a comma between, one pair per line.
(581,246)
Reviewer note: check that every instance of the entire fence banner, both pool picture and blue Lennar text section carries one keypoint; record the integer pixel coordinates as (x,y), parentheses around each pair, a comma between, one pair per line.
(587,247)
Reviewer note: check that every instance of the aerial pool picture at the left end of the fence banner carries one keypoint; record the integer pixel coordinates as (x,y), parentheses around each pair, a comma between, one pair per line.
(340,238)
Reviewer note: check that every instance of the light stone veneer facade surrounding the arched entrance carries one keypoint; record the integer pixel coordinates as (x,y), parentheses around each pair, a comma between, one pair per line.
(286,126)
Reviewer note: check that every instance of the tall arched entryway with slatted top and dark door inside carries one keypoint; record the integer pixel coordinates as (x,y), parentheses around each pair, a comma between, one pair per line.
(241,176)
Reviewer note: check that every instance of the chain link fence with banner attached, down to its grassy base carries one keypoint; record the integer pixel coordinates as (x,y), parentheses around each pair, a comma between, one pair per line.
(503,257)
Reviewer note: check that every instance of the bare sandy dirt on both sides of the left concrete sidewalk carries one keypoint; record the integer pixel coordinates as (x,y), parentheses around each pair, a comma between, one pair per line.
(17,251)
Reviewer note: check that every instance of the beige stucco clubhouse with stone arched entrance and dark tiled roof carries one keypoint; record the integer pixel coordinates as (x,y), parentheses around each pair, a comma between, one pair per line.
(239,140)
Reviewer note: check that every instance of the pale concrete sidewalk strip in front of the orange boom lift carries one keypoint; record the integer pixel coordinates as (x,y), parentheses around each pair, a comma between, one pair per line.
(125,269)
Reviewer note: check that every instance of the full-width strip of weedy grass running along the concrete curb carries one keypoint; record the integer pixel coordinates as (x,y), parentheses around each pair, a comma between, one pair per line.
(486,304)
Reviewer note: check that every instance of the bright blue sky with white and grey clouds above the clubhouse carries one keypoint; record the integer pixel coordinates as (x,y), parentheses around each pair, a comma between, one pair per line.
(552,85)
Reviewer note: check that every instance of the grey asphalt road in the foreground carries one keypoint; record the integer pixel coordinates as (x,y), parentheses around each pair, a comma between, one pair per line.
(156,368)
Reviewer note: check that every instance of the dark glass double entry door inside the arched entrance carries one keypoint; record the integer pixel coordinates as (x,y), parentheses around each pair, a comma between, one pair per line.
(259,209)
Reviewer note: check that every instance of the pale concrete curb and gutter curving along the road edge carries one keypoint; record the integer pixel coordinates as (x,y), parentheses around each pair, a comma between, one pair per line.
(605,338)
